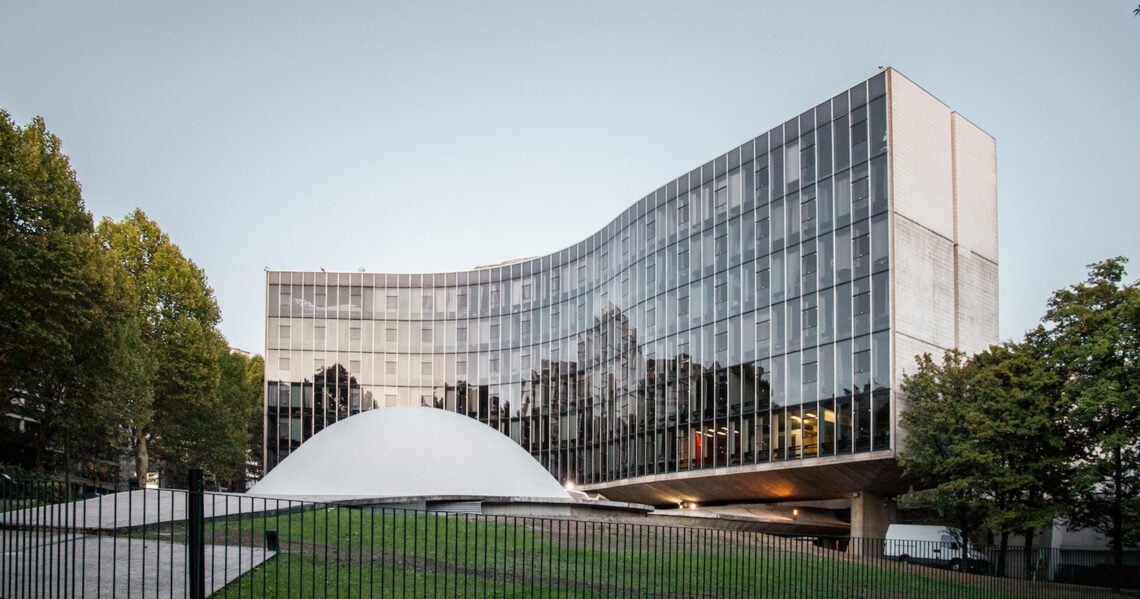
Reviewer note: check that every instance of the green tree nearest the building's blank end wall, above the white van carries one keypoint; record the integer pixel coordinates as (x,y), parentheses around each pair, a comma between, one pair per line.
(941,455)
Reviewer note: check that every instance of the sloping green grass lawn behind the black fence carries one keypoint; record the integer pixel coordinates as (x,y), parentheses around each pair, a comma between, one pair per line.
(349,553)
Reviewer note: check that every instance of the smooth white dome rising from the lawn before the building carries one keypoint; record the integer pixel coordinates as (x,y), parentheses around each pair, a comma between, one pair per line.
(410,452)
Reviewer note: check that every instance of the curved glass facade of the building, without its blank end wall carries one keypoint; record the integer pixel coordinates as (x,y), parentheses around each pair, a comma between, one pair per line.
(738,315)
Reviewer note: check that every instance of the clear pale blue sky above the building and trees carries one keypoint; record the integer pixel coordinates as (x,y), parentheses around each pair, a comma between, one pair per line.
(438,136)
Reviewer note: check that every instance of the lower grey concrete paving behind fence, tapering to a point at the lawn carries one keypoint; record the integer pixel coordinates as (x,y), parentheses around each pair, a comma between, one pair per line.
(83,565)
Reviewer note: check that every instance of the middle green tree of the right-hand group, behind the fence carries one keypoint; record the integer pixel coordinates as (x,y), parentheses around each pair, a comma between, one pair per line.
(1019,424)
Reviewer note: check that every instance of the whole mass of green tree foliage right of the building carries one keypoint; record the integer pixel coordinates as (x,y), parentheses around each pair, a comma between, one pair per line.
(1024,433)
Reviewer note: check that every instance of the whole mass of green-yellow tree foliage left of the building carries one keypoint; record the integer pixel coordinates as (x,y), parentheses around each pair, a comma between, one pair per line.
(109,335)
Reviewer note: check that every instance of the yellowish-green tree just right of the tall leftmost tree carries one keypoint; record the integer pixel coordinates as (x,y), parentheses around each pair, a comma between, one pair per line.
(178,315)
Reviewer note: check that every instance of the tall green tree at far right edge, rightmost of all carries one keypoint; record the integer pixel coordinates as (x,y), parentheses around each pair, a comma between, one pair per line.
(1093,331)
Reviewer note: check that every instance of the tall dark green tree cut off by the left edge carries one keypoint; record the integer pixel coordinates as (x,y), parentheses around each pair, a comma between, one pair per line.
(68,346)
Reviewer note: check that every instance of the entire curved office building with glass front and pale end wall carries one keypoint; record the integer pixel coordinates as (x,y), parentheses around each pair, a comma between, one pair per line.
(737,335)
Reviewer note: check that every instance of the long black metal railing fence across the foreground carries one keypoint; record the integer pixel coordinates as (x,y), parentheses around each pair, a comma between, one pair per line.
(177,544)
